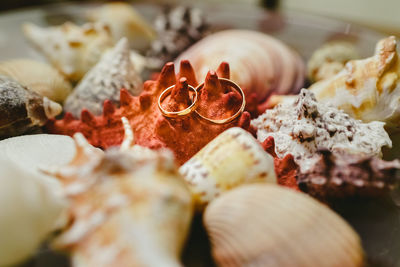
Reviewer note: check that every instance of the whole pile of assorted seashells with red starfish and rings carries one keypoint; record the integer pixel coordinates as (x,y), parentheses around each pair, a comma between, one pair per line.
(117,182)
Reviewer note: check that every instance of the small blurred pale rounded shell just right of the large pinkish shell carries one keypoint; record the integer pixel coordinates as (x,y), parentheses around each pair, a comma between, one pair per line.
(330,59)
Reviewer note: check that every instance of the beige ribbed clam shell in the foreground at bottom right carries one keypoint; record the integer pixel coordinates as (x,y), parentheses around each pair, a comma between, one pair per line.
(269,225)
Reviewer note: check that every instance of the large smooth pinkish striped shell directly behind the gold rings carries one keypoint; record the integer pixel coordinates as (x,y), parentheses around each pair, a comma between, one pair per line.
(259,63)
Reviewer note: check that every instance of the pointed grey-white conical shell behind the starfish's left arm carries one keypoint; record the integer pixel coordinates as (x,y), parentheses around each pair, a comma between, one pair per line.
(114,71)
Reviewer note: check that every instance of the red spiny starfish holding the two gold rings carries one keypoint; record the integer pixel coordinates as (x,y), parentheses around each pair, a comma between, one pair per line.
(184,136)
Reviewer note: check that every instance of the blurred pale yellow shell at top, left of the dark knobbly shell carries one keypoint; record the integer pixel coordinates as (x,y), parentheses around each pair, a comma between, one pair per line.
(124,21)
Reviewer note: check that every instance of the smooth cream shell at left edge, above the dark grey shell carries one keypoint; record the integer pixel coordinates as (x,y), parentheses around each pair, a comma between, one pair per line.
(38,77)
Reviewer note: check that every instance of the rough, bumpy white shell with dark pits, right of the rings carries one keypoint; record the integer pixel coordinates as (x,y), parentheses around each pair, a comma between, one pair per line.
(302,127)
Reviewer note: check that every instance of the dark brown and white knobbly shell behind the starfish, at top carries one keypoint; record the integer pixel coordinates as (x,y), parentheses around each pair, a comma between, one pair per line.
(177,29)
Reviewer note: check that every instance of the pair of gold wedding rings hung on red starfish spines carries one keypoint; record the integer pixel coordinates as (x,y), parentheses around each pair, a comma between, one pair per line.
(194,104)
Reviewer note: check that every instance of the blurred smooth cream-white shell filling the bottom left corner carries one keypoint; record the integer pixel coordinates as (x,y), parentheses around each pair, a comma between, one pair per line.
(30,208)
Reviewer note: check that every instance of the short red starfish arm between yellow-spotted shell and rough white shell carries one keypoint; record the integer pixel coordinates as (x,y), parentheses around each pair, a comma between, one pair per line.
(285,168)
